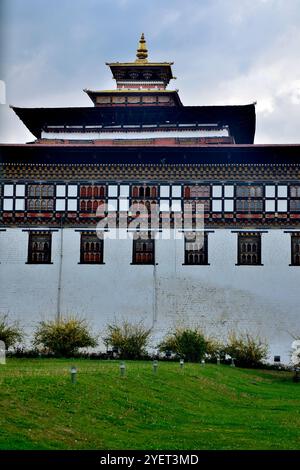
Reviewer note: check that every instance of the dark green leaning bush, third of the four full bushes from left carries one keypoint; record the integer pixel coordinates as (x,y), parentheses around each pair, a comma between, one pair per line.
(189,344)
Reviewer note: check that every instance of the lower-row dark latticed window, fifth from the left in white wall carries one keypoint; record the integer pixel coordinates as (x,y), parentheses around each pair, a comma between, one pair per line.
(249,248)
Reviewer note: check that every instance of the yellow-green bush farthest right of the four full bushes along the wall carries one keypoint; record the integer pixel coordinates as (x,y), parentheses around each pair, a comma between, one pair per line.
(247,350)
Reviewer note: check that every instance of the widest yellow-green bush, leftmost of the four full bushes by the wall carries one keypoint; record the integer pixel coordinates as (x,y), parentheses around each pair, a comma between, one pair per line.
(64,337)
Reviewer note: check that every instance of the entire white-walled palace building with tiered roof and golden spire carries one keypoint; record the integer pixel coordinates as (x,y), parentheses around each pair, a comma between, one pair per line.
(71,201)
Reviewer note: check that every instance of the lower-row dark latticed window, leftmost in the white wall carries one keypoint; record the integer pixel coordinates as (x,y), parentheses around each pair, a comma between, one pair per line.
(39,248)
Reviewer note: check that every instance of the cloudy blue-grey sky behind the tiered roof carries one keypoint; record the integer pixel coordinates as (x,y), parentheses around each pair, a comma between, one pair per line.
(225,52)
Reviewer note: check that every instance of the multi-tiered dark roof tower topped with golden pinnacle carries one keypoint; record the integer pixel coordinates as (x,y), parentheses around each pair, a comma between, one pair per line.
(141,110)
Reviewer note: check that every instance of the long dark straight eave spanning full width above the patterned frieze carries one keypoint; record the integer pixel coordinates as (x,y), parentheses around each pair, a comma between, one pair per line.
(206,154)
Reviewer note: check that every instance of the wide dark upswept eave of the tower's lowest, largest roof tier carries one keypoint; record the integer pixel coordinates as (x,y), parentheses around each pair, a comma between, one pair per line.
(241,119)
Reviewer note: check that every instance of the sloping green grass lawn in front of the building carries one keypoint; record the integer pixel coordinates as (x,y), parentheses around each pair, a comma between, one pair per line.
(210,407)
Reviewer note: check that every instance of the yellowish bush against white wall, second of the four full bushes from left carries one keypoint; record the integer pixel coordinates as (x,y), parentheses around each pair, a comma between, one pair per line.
(129,339)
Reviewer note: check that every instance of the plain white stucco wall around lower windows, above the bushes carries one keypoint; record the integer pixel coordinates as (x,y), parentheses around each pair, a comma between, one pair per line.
(219,297)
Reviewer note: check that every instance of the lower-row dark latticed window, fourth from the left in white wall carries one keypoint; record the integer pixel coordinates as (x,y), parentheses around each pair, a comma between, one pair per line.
(196,248)
